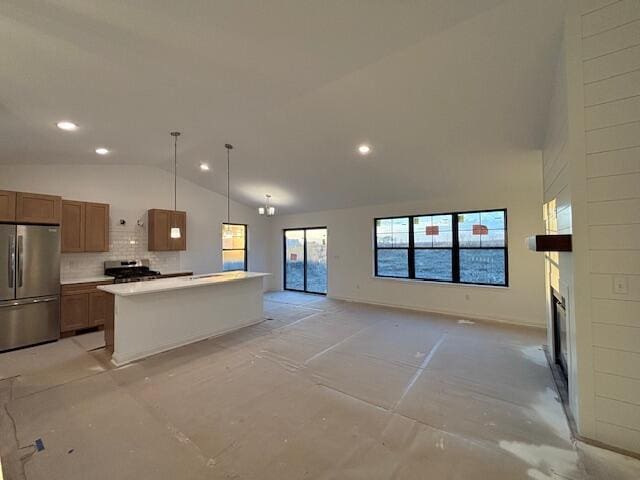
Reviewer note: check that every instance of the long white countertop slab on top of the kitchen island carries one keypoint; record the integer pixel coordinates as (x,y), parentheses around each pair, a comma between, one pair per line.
(177,283)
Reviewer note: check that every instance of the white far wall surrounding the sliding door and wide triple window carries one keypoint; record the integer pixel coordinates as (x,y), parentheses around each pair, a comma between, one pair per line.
(516,185)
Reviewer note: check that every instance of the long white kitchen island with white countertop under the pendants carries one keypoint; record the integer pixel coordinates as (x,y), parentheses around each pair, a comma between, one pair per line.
(159,315)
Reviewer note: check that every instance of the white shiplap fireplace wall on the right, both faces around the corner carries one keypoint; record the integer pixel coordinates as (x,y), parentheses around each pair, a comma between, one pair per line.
(597,170)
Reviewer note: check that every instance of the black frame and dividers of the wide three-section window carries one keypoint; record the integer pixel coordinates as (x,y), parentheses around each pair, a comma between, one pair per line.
(455,249)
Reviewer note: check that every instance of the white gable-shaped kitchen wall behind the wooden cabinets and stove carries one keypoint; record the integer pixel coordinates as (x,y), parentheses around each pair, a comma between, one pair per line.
(131,191)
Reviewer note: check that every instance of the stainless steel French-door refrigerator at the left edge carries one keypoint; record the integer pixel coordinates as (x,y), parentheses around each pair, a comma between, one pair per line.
(29,285)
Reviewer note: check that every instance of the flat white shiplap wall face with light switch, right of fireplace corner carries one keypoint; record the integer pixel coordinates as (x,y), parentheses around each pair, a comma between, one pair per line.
(611,76)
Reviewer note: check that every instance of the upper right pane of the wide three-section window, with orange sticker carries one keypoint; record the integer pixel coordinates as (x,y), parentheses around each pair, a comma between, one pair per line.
(481,229)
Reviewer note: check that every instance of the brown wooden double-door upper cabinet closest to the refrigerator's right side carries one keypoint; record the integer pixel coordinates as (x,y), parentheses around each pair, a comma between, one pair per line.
(85,227)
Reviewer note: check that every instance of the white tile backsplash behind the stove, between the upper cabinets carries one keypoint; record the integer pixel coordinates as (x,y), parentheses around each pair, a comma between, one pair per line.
(125,242)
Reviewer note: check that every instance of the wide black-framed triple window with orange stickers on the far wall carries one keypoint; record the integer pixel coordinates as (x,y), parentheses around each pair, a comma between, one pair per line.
(465,247)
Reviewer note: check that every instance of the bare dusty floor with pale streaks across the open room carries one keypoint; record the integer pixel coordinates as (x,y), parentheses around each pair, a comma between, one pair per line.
(320,390)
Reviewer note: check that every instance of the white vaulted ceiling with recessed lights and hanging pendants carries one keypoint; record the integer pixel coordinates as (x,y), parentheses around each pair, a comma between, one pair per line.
(295,85)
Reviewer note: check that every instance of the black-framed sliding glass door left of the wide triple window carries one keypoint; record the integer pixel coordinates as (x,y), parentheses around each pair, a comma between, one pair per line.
(305,260)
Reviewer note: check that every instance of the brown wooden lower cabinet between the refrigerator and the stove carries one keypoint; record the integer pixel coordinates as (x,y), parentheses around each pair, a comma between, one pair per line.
(82,306)
